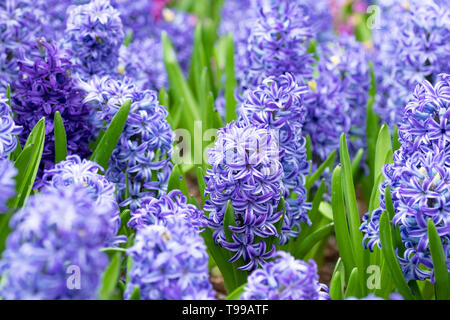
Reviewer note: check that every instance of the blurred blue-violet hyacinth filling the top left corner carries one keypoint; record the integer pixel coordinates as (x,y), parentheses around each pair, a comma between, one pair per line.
(20,23)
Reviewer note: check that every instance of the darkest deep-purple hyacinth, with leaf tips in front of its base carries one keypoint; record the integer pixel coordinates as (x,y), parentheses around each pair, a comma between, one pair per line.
(45,86)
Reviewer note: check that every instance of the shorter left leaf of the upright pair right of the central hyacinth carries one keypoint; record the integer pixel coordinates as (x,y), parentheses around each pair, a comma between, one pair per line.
(340,222)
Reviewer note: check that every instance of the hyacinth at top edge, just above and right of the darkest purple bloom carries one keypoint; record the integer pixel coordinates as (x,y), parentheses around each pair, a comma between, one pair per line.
(94,33)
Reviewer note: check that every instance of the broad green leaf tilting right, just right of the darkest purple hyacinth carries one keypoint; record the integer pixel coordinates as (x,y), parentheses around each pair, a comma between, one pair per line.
(108,143)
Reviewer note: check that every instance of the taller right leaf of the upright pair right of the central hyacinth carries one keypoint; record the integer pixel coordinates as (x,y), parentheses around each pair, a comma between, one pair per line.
(354,221)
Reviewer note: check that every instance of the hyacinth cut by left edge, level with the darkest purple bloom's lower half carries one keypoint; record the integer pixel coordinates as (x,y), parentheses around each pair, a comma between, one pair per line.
(8,130)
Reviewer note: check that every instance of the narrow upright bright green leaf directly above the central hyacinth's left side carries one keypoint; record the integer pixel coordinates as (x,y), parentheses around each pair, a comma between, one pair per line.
(230,81)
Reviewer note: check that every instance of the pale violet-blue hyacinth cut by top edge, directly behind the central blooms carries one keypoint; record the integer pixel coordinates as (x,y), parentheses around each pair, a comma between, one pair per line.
(278,43)
